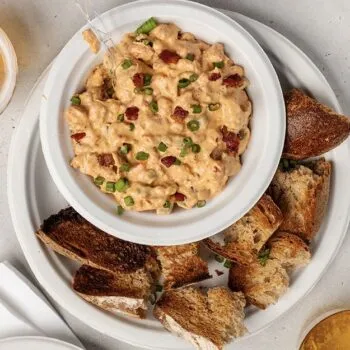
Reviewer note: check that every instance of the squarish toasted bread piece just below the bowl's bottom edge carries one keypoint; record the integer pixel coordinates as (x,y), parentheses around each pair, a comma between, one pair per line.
(182,265)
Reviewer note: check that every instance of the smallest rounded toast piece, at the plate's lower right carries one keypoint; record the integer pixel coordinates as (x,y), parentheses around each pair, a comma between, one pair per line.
(289,249)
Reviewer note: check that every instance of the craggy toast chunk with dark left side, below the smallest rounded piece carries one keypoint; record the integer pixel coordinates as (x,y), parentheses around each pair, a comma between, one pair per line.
(262,282)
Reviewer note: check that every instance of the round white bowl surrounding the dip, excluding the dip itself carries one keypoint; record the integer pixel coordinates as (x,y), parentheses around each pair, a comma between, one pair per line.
(259,161)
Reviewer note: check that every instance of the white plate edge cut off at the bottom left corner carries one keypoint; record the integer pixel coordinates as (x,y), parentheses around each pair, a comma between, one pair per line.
(37,343)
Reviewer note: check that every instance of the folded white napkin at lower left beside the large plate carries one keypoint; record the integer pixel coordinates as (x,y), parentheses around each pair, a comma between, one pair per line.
(25,311)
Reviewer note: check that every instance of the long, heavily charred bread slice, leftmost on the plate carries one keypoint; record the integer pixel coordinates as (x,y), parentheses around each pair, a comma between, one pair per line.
(69,234)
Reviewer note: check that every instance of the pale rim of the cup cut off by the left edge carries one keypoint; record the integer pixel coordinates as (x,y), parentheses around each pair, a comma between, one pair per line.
(11,69)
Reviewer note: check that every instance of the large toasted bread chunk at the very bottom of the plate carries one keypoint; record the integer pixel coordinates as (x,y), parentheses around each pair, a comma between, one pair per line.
(207,320)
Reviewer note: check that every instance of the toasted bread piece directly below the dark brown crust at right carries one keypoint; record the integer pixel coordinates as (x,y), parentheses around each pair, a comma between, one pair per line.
(302,194)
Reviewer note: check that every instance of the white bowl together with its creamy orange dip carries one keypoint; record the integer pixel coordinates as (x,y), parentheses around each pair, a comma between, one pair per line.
(170,135)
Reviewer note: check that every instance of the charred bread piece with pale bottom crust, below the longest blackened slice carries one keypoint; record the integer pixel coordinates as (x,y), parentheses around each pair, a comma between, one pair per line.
(125,293)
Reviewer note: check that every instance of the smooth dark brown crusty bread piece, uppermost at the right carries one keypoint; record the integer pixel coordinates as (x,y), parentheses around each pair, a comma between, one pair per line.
(312,128)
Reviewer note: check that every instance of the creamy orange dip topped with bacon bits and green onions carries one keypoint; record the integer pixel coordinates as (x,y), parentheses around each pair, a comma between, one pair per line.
(163,120)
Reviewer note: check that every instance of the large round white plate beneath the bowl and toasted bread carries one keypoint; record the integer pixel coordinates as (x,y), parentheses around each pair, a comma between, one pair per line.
(33,197)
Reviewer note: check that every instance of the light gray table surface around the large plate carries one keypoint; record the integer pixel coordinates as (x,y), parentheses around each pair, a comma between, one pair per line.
(40,28)
